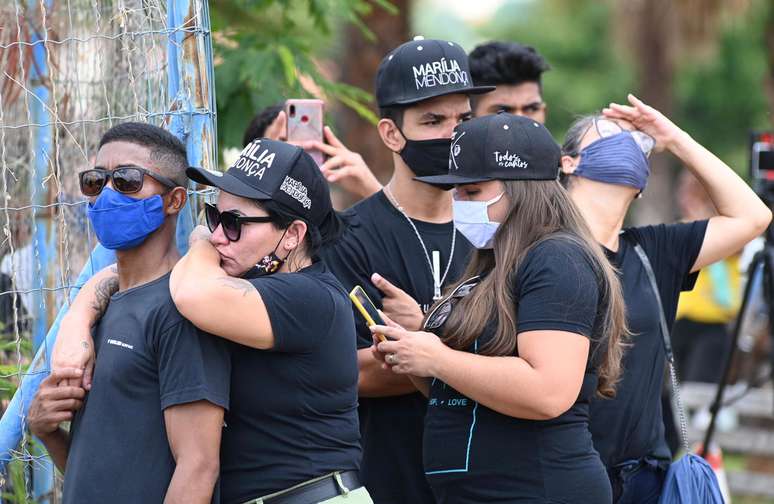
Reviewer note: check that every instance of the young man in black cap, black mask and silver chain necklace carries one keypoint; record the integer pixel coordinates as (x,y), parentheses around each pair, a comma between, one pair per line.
(400,244)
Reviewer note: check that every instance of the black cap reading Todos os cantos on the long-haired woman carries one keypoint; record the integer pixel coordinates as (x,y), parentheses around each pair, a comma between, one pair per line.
(500,147)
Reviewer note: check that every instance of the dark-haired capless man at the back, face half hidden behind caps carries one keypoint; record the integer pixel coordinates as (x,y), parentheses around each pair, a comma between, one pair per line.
(517,71)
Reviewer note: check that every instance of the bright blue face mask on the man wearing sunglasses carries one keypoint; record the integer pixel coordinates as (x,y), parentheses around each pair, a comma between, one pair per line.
(121,222)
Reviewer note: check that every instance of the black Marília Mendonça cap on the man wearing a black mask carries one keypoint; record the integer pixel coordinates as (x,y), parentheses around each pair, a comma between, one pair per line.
(424,69)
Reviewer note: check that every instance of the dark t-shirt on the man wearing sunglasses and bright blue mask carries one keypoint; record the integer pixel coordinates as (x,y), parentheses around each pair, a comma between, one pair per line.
(149,358)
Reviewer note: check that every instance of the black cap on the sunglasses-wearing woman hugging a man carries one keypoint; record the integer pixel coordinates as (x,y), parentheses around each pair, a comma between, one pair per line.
(277,171)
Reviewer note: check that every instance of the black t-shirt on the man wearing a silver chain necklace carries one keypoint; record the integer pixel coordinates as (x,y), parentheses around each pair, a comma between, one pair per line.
(379,239)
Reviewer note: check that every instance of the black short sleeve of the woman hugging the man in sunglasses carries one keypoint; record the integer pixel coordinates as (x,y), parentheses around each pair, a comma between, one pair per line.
(299,309)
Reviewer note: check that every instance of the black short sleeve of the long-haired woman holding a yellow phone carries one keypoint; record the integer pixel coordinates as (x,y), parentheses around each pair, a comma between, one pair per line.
(556,288)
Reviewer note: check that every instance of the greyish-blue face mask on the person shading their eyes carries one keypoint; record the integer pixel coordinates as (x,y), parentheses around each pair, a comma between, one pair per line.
(616,159)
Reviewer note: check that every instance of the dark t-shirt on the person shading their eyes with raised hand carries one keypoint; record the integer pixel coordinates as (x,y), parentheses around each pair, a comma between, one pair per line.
(630,426)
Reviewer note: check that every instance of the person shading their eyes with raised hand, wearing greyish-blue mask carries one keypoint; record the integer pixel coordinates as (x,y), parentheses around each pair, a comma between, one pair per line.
(605,165)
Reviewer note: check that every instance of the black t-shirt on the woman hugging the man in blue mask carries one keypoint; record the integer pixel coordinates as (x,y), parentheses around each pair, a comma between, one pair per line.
(294,407)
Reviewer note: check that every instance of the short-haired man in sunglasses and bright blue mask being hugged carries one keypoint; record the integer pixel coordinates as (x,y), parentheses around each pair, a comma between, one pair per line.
(149,427)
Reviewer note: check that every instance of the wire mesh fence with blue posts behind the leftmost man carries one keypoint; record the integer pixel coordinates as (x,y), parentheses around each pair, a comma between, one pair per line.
(69,70)
